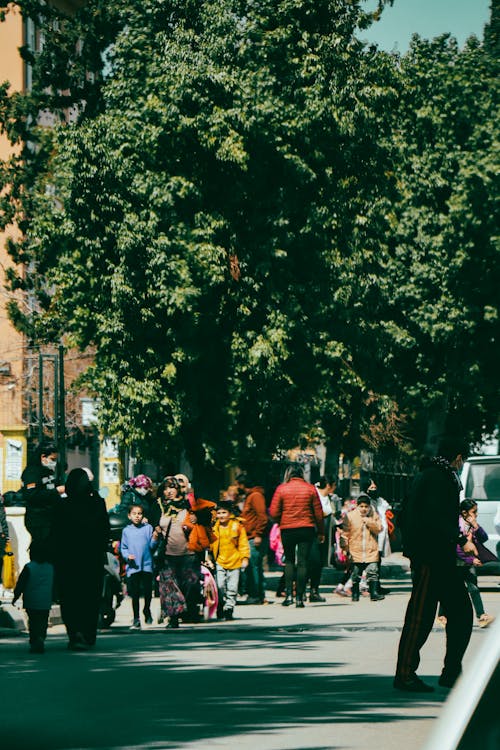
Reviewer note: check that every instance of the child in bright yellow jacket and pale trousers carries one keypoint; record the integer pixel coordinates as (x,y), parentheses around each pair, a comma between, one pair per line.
(231,553)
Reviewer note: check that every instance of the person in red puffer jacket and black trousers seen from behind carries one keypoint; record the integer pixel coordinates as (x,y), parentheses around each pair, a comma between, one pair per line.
(297,509)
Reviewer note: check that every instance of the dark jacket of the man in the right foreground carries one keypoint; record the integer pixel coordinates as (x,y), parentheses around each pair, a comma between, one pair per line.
(429,521)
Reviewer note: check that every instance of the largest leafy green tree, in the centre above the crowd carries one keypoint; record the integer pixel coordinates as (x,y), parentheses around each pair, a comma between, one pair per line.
(225,130)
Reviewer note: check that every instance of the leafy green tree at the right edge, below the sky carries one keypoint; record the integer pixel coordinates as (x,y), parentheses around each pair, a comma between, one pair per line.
(440,329)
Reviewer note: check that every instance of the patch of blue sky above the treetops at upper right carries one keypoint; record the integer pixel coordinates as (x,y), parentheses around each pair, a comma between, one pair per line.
(428,18)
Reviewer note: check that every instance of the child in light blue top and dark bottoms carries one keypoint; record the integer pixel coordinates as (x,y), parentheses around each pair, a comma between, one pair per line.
(138,539)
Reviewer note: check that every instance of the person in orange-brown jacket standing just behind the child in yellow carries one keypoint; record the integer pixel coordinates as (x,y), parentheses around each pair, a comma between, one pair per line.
(256,520)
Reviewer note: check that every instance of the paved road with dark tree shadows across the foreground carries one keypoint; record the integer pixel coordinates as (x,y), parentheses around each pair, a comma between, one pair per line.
(275,678)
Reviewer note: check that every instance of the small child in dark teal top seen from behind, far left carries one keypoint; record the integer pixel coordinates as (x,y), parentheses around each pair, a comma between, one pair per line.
(36,585)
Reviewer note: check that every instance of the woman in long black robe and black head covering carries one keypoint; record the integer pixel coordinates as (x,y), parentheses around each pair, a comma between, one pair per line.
(81,538)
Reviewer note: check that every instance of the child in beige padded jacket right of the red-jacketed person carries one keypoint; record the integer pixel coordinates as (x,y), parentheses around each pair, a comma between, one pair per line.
(360,530)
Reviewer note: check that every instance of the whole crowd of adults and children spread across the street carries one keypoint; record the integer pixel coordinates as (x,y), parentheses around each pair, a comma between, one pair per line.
(202,556)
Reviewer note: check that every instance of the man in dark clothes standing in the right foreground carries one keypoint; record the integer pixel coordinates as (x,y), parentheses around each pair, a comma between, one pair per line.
(430,537)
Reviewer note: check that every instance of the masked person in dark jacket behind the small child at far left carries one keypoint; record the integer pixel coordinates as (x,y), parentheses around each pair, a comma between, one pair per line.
(40,494)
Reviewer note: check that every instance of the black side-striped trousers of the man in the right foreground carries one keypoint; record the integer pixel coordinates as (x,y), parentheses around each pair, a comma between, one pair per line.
(433,583)
